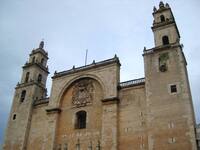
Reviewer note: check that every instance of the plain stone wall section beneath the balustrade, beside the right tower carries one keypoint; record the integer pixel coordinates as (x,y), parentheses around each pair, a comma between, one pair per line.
(132,118)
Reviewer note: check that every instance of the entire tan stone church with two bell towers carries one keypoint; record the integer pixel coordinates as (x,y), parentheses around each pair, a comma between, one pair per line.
(90,109)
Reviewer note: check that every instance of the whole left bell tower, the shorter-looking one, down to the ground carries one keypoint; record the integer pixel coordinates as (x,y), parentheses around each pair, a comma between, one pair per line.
(32,87)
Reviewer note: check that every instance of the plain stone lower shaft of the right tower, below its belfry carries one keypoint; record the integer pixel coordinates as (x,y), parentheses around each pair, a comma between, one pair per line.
(170,120)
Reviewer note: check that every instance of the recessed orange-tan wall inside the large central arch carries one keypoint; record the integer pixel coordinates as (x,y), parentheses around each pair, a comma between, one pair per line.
(81,114)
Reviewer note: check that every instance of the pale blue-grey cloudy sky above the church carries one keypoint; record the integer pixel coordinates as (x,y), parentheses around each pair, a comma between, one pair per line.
(104,27)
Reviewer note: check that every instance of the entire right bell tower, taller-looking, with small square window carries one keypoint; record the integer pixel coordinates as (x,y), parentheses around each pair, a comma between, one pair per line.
(170,114)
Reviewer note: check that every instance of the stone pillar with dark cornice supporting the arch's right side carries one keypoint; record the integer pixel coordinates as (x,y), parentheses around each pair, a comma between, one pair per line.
(109,124)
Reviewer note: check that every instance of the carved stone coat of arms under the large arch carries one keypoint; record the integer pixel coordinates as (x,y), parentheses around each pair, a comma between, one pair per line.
(82,93)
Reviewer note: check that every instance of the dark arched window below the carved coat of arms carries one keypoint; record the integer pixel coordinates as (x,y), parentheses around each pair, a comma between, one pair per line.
(81,120)
